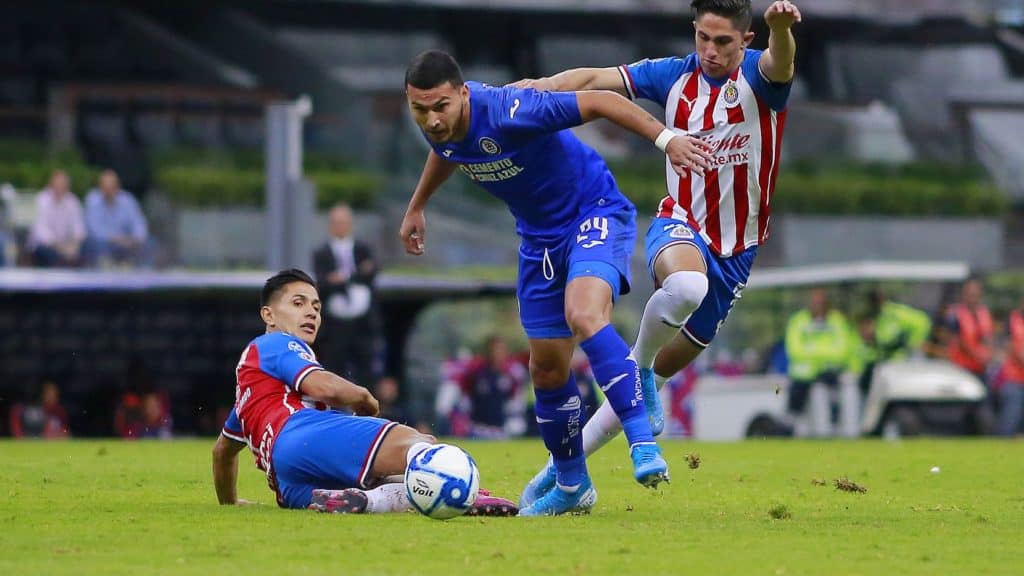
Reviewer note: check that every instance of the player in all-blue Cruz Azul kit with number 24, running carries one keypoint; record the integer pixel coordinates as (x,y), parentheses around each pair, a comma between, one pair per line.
(578,233)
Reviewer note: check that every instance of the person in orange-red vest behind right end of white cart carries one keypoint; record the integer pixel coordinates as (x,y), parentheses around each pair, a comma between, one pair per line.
(970,331)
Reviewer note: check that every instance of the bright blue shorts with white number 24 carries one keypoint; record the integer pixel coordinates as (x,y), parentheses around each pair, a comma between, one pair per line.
(600,244)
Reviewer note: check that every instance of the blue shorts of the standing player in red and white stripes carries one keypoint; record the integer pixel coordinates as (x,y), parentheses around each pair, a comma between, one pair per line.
(727,277)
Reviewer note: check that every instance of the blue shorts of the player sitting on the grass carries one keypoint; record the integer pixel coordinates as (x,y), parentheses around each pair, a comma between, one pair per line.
(325,449)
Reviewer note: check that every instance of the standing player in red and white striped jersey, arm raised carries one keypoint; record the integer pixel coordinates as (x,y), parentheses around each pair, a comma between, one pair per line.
(730,103)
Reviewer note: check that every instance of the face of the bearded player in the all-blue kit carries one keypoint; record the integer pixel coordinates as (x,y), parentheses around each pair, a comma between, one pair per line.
(441,112)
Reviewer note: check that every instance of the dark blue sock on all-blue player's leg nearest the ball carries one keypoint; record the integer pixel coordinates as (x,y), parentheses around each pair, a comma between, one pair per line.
(560,414)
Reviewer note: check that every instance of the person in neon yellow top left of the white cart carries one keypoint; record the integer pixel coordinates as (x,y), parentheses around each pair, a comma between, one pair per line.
(821,346)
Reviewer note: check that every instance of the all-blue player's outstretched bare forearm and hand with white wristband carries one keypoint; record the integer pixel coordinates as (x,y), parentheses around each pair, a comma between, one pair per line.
(686,152)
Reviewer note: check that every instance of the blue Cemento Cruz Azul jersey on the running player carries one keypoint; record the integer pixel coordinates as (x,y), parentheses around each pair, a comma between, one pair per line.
(520,149)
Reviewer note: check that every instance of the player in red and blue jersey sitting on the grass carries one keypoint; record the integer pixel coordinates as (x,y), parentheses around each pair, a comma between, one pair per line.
(315,458)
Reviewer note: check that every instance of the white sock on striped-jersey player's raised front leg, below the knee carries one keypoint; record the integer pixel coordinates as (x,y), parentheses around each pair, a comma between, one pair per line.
(666,312)
